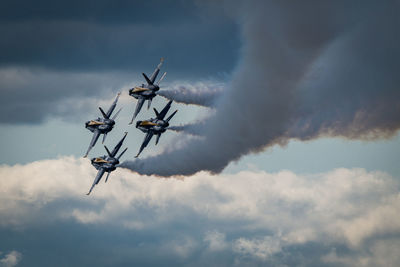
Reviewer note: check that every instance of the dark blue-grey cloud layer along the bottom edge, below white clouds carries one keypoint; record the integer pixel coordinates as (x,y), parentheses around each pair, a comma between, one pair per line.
(72,244)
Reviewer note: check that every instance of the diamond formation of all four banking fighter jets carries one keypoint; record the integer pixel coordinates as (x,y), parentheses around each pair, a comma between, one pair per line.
(153,126)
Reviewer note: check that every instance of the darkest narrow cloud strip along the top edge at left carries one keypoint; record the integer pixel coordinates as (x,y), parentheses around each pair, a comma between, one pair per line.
(100,11)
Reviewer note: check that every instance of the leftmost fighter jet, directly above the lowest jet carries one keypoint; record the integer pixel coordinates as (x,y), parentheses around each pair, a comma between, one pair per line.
(102,125)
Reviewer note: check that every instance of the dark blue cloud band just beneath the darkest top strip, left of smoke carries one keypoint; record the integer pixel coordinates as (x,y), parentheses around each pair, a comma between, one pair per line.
(189,47)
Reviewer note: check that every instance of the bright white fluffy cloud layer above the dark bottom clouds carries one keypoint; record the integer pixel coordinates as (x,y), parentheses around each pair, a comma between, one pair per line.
(252,214)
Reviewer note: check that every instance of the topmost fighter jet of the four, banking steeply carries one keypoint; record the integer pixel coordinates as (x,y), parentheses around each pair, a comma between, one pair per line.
(146,91)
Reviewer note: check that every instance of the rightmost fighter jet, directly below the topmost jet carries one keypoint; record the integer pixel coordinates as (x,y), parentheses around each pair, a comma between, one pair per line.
(154,126)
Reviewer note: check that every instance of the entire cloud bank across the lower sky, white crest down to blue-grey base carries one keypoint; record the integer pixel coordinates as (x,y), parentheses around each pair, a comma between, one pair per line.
(346,217)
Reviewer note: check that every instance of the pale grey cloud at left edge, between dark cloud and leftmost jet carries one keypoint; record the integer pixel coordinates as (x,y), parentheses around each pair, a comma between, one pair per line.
(31,96)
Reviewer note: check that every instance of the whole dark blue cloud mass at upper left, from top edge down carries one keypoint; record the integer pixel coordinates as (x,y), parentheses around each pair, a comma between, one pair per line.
(122,35)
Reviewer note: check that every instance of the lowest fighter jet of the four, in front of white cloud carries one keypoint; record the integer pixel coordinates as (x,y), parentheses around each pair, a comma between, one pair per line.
(107,163)
